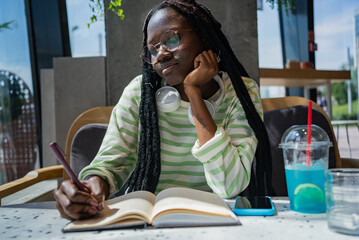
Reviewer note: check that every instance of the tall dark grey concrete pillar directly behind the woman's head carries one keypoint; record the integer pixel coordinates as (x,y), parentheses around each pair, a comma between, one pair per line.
(124,38)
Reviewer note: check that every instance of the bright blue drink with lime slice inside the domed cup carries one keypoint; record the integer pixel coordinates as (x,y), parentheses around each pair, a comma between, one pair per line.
(305,185)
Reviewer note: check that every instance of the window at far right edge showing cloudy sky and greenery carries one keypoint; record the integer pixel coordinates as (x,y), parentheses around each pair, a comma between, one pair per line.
(334,25)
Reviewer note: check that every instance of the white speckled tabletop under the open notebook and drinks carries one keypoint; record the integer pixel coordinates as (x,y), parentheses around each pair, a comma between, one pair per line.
(42,221)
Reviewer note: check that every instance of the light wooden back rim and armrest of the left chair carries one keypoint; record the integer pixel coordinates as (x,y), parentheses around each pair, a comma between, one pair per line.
(97,115)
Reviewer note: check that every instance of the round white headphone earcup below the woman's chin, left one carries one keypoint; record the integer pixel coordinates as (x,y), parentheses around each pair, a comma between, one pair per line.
(168,99)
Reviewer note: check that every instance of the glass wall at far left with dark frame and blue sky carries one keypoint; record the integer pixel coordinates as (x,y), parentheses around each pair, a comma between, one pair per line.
(18,136)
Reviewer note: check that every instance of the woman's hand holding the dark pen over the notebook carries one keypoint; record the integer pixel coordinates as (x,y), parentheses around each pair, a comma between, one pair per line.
(75,204)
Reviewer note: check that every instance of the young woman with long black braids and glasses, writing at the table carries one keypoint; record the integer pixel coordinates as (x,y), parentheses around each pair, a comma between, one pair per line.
(206,140)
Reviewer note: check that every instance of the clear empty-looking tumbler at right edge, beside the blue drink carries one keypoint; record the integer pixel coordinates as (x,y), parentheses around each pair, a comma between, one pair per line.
(342,193)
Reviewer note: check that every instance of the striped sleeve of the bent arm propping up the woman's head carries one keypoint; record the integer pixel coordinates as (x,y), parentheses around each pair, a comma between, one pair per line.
(227,157)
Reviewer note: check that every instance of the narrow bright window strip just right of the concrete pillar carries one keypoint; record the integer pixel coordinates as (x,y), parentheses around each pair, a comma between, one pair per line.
(269,46)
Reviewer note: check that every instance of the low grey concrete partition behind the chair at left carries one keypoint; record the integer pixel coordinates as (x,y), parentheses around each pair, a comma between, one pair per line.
(74,86)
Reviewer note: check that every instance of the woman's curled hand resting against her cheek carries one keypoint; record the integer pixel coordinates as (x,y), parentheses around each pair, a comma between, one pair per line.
(205,68)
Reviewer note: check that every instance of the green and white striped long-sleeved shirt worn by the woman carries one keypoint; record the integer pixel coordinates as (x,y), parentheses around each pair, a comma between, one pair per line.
(222,165)
